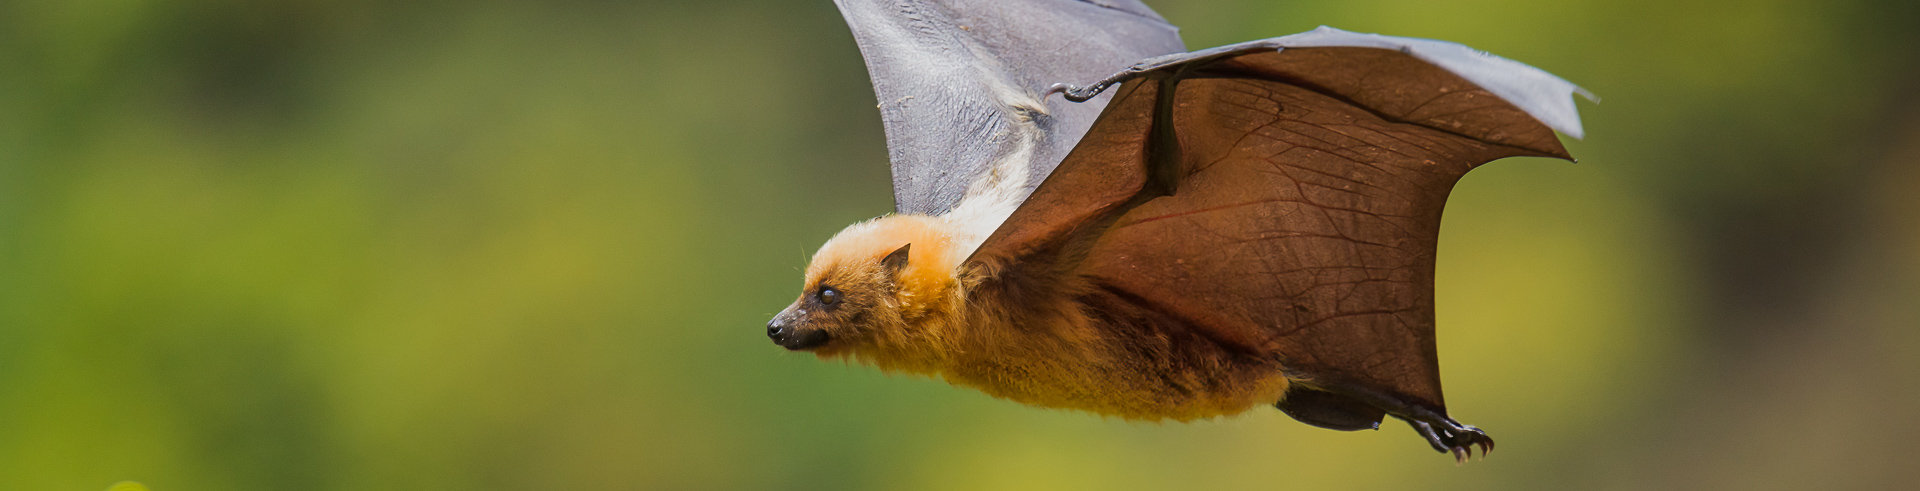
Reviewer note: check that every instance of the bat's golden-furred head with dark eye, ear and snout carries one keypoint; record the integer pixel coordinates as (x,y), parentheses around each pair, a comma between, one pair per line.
(876,291)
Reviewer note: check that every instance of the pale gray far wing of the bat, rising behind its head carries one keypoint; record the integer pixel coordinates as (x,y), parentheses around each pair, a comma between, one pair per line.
(963,83)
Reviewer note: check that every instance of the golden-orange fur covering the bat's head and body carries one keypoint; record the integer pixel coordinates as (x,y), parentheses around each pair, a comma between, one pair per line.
(1051,342)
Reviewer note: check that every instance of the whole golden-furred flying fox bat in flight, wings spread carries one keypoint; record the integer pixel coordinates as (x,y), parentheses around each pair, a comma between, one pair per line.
(1180,235)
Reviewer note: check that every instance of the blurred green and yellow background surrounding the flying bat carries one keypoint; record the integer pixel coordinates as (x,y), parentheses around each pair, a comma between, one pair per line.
(533,246)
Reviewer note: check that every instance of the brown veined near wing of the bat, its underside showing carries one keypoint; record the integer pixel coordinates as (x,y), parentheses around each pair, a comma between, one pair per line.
(1307,206)
